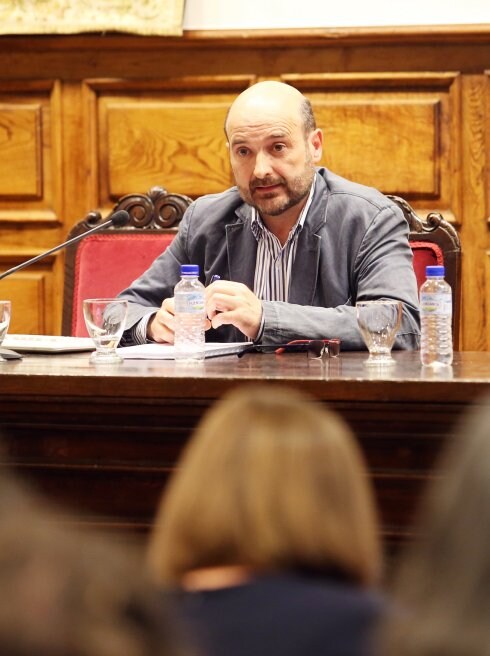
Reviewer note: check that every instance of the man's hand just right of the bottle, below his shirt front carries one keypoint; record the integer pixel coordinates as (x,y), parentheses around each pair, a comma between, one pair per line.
(234,303)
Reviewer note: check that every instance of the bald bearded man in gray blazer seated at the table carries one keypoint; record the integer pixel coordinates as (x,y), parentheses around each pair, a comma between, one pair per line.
(295,246)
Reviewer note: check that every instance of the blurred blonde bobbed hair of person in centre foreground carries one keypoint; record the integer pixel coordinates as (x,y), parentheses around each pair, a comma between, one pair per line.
(270,481)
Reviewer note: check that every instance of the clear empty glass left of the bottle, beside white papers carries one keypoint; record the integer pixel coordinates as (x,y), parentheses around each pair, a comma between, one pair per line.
(105,319)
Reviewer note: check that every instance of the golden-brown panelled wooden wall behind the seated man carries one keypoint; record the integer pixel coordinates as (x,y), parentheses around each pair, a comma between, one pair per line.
(86,119)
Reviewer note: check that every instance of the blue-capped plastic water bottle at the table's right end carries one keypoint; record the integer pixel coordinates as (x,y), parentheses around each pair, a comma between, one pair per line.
(436,308)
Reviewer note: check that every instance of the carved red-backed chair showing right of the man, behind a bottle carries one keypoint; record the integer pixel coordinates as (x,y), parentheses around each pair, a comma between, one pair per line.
(434,241)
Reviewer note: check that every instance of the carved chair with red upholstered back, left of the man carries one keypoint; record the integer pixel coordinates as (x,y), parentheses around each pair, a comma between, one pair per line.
(103,264)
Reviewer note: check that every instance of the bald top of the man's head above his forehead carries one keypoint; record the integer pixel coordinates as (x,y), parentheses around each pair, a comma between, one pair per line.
(269,99)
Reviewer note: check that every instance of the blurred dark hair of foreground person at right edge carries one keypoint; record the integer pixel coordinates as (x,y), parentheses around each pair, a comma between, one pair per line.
(442,590)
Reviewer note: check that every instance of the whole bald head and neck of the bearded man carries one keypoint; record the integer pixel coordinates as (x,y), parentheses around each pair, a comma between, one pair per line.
(274,146)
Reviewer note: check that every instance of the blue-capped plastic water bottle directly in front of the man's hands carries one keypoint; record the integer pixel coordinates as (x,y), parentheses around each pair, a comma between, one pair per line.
(189,301)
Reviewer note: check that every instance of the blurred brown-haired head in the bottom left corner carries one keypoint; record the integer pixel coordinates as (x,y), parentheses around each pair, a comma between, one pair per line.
(68,592)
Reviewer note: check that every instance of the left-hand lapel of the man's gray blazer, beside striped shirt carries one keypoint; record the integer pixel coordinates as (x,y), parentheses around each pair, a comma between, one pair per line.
(242,249)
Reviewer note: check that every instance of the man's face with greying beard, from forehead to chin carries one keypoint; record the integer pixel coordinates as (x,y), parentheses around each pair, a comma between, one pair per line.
(273,160)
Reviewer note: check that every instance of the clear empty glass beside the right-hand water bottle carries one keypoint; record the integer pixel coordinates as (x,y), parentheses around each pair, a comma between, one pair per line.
(379,322)
